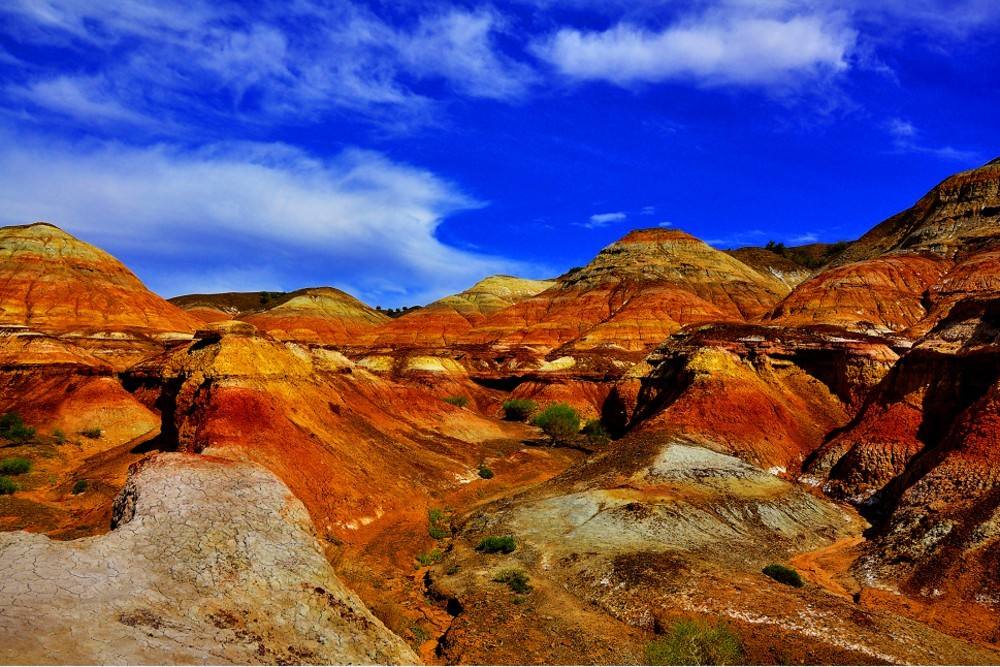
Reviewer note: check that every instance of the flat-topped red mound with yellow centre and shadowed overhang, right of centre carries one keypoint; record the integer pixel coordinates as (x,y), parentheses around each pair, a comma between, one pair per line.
(770,395)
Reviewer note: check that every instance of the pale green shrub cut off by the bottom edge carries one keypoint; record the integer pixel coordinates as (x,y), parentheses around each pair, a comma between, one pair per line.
(694,642)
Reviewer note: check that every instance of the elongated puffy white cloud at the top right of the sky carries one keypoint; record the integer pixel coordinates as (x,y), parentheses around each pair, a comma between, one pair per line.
(712,49)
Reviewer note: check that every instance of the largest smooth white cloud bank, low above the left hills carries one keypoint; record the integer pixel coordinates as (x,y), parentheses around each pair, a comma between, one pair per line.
(248,215)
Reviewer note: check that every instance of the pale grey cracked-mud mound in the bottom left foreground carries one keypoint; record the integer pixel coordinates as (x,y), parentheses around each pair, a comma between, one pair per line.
(209,562)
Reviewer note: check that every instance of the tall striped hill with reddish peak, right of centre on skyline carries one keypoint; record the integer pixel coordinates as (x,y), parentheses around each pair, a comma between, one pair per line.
(633,294)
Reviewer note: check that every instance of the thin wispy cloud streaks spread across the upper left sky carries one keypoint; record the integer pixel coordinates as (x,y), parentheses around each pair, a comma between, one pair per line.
(290,60)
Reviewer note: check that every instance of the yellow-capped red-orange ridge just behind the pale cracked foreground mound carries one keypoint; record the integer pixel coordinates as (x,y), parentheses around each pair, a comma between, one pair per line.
(352,446)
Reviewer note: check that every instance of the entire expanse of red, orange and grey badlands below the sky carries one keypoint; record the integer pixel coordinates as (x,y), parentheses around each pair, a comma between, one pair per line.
(271,477)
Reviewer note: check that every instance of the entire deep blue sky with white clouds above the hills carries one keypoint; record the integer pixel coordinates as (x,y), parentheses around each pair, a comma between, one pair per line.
(402,151)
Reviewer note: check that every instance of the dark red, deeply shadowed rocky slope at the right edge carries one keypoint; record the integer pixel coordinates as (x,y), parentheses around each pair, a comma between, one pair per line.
(922,456)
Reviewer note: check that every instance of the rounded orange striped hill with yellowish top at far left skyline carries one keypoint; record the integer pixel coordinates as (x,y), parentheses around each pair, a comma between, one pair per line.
(59,285)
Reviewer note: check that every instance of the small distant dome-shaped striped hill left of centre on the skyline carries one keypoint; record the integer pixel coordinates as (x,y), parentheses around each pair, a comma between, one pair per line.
(321,315)
